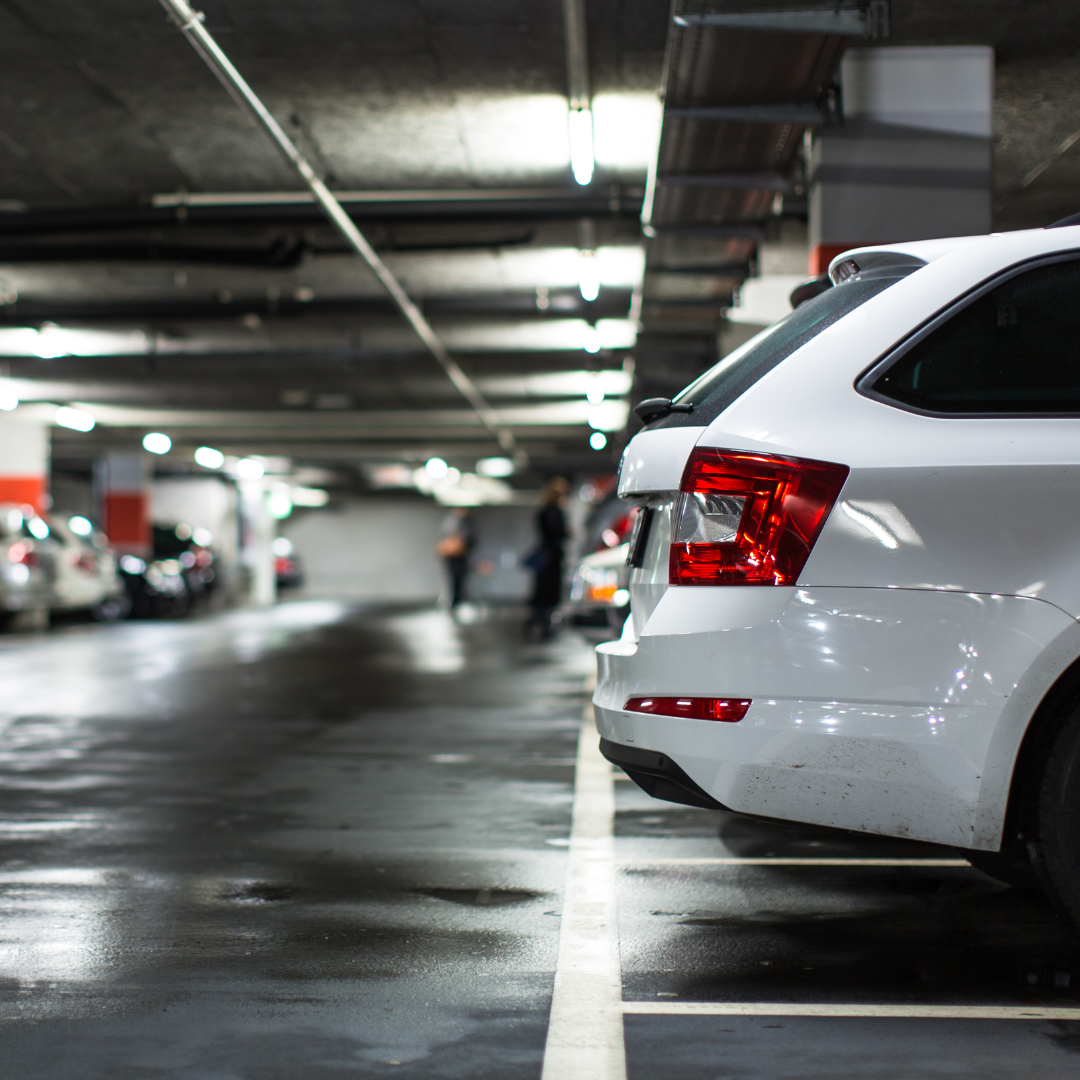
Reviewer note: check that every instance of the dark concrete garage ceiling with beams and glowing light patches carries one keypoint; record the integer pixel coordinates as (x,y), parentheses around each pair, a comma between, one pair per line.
(161,263)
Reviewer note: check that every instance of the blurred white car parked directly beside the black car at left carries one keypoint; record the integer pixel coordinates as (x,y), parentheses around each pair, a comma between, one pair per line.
(83,570)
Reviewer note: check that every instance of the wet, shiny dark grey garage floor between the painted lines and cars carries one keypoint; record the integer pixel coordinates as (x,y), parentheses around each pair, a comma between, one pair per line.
(322,842)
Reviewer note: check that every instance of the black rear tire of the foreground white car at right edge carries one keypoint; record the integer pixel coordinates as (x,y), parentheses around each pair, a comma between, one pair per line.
(1056,846)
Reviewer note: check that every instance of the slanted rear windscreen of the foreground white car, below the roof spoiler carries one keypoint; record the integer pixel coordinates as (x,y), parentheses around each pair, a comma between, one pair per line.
(714,391)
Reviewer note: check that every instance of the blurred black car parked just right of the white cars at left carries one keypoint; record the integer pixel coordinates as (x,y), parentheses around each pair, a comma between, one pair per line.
(181,575)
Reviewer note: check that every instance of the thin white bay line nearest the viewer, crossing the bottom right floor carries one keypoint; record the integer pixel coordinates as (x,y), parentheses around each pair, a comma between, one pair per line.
(795,1009)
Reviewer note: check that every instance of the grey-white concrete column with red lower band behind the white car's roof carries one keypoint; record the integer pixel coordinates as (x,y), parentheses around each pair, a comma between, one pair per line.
(912,160)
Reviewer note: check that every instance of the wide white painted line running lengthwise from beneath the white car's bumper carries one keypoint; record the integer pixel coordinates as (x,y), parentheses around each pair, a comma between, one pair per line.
(585,1033)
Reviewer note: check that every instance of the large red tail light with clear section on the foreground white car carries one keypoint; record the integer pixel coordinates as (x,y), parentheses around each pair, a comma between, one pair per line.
(750,519)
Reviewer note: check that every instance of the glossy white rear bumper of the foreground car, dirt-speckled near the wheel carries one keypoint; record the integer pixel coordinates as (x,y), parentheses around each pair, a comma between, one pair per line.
(887,711)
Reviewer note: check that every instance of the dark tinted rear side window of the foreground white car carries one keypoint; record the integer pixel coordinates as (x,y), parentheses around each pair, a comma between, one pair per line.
(1015,349)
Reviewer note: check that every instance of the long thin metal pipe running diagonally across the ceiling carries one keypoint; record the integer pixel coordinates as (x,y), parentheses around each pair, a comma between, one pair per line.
(191,23)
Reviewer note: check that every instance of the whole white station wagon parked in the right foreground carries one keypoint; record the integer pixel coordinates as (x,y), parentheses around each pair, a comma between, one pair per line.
(857,589)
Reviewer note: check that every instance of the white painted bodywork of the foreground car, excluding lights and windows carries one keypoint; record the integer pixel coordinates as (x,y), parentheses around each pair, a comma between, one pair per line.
(893,687)
